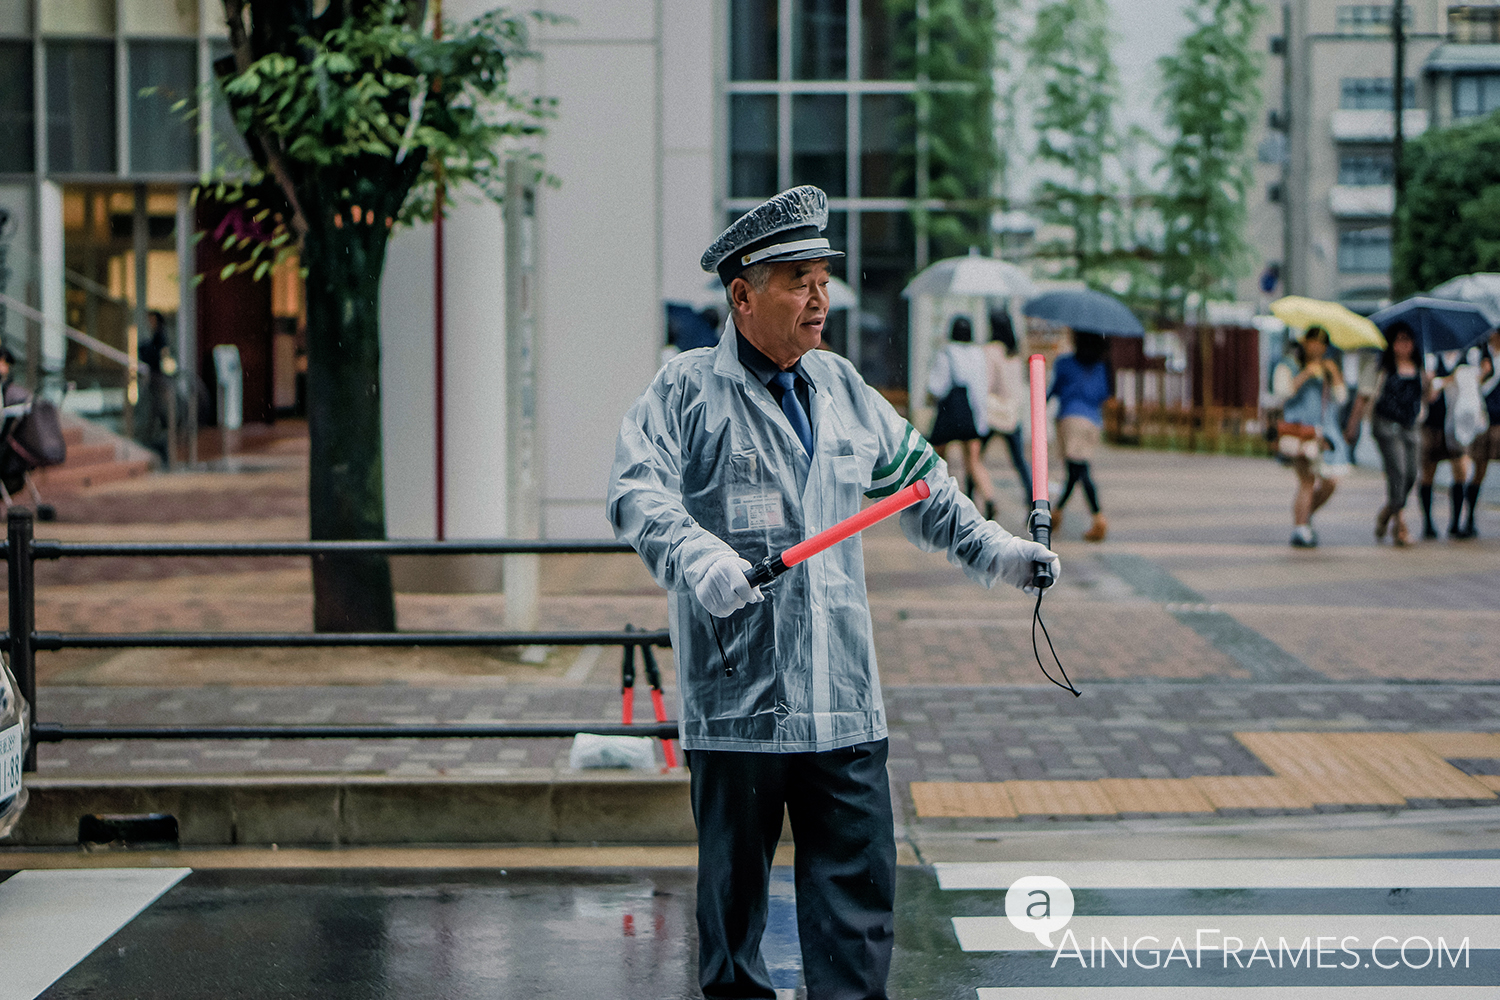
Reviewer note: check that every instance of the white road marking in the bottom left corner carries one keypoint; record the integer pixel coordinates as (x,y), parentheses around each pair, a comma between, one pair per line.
(50,921)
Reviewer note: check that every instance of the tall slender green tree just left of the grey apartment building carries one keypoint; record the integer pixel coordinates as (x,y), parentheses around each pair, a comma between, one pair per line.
(1211,97)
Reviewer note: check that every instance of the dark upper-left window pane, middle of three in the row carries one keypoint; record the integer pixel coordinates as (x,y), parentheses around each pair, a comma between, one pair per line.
(80,109)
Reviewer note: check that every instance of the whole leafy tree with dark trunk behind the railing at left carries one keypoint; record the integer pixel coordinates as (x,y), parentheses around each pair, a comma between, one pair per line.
(356,116)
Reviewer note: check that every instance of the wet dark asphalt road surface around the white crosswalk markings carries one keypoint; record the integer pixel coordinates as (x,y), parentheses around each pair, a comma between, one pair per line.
(629,933)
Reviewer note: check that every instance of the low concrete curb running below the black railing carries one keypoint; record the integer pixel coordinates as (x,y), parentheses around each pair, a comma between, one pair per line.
(349,810)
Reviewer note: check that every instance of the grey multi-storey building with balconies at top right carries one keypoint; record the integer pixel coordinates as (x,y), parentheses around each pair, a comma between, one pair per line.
(1325,179)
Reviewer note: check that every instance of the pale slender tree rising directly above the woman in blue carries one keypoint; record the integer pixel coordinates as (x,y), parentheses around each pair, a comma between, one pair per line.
(1070,67)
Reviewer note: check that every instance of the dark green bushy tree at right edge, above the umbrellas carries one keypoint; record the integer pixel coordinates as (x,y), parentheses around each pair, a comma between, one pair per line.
(1448,223)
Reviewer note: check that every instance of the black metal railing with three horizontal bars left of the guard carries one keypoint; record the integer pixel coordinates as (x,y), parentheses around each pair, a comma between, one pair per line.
(23,641)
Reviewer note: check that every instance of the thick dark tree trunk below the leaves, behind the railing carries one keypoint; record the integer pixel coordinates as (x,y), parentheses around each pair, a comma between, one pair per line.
(346,490)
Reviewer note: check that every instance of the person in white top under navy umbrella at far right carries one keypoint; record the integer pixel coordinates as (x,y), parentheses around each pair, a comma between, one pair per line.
(1447,329)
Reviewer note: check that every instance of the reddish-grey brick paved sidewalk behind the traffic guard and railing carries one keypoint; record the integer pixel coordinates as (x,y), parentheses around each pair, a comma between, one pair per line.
(1192,624)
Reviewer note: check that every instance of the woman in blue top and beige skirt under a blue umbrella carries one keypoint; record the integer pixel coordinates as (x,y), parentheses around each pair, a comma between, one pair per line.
(1081,385)
